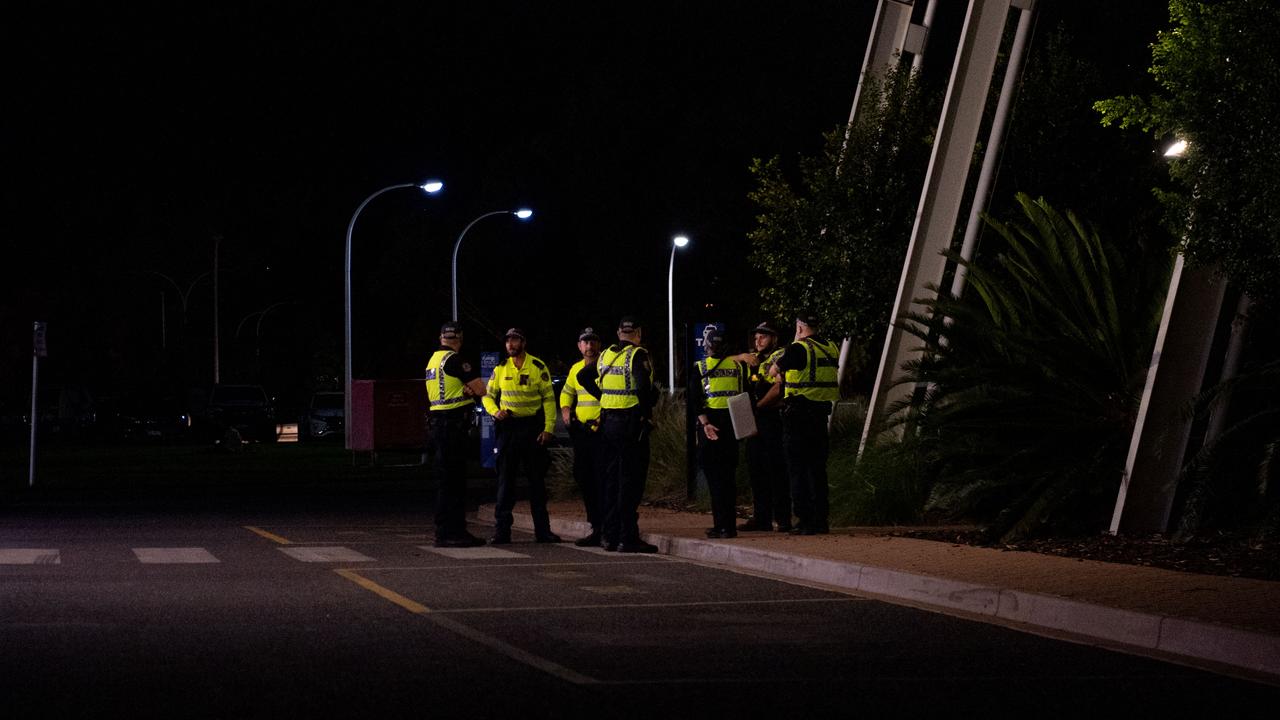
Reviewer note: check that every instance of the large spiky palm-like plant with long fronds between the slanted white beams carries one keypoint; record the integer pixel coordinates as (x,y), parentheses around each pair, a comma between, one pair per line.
(1035,375)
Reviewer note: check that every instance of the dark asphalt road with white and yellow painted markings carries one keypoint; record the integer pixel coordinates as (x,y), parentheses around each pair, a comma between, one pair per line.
(249,609)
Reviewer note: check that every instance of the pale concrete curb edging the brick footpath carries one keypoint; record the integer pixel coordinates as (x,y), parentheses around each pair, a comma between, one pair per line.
(1236,648)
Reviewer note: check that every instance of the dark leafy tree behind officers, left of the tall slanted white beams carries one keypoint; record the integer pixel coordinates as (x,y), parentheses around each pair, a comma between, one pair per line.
(834,240)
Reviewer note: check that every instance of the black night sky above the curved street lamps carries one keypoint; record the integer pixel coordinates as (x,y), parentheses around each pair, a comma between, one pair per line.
(135,134)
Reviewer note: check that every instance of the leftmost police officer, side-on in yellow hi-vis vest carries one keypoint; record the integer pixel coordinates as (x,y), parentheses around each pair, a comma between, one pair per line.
(452,384)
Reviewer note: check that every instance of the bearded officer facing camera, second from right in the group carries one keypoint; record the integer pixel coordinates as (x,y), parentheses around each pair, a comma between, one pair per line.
(771,494)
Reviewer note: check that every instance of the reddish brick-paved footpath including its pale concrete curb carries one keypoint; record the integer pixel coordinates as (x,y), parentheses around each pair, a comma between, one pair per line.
(1218,623)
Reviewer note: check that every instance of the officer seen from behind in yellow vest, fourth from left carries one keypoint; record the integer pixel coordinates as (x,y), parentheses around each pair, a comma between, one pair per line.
(628,397)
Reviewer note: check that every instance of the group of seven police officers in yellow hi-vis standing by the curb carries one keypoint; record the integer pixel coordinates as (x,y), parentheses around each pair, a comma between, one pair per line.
(607,404)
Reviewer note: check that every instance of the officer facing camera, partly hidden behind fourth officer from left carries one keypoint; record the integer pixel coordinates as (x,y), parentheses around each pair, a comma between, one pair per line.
(580,409)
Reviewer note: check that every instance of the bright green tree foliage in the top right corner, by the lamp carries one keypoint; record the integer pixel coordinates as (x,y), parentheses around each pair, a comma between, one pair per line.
(1217,74)
